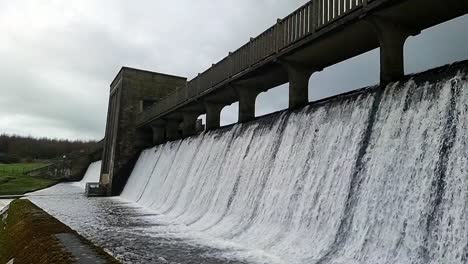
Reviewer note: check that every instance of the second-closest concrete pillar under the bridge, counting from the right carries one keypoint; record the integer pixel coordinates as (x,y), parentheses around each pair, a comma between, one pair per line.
(298,76)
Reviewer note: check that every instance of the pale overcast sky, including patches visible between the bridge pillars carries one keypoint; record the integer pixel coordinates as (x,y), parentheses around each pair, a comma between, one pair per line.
(59,57)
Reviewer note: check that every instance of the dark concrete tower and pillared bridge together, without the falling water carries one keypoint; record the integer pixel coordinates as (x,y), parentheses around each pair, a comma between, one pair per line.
(149,108)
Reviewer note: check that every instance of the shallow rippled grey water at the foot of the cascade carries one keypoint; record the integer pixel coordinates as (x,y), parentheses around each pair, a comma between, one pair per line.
(130,233)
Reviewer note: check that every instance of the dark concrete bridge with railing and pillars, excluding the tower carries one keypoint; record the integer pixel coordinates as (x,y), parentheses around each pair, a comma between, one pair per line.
(317,35)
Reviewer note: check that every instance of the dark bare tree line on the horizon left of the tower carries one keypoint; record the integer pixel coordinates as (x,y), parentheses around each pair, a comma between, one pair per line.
(14,148)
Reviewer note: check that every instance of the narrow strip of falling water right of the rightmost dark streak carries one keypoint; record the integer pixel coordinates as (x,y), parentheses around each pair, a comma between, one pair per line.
(447,227)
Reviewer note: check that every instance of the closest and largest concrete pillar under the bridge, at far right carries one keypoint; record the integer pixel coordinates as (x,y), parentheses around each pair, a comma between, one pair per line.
(392,38)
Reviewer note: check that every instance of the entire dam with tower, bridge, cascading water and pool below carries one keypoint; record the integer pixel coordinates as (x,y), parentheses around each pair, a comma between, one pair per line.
(376,175)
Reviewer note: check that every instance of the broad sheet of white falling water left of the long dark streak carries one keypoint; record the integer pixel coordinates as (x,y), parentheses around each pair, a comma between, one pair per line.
(266,185)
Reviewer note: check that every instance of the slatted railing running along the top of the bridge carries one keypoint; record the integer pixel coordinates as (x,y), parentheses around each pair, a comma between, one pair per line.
(303,22)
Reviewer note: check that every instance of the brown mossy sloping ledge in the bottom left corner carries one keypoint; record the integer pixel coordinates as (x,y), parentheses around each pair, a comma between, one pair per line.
(30,235)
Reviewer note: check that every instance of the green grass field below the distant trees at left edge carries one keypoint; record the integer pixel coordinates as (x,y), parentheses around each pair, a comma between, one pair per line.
(14,182)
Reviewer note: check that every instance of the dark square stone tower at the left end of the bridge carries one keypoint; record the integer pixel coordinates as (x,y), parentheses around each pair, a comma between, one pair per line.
(131,91)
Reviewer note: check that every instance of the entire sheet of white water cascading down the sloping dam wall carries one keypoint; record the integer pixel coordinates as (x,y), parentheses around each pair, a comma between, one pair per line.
(377,176)
